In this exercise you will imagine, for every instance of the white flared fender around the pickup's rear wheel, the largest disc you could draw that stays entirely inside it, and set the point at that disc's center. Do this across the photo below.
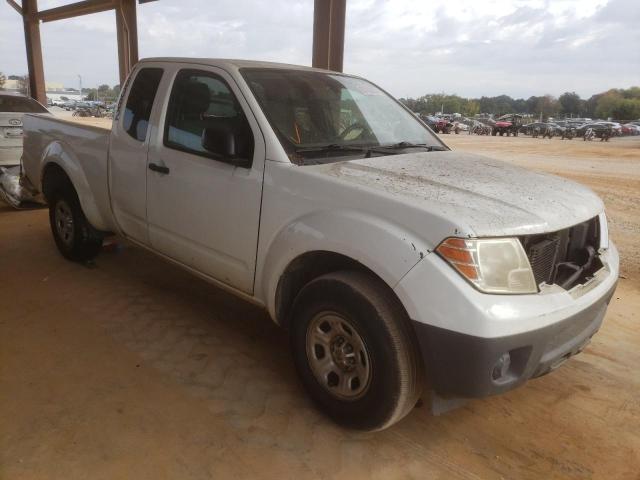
(60, 154)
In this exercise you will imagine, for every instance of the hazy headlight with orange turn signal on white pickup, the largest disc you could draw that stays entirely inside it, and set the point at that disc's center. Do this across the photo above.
(492, 265)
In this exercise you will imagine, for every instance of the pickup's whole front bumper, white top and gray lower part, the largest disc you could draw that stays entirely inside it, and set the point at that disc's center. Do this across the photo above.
(475, 345)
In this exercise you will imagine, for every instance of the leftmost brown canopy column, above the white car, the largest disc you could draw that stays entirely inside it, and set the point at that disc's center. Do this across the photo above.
(34, 50)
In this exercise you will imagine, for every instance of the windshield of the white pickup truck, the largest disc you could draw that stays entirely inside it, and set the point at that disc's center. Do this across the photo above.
(314, 112)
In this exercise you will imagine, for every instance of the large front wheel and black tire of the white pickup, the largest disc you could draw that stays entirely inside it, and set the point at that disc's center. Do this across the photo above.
(389, 355)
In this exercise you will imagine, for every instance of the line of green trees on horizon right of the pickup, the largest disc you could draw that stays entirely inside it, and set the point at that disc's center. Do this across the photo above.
(618, 103)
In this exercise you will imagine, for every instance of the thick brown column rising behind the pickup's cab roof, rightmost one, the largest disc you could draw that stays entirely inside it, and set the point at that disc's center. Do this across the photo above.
(328, 34)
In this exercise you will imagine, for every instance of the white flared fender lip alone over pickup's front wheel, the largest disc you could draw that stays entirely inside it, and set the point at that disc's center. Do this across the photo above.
(391, 255)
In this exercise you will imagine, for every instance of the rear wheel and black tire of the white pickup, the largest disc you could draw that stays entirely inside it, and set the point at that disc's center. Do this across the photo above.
(75, 238)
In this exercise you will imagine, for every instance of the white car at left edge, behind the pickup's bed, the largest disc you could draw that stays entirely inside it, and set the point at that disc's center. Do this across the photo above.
(12, 109)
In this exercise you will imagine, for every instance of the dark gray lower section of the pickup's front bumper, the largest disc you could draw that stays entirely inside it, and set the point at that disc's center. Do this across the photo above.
(467, 366)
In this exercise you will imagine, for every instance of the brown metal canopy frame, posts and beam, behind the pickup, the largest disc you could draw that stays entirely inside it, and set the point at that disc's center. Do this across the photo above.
(328, 34)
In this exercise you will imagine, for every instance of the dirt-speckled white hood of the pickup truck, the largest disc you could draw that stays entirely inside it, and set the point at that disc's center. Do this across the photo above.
(476, 195)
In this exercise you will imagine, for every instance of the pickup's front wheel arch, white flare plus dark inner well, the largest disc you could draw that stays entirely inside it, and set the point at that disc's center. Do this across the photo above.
(325, 241)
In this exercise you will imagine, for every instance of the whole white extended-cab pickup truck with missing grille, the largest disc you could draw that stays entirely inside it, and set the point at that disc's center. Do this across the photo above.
(398, 267)
